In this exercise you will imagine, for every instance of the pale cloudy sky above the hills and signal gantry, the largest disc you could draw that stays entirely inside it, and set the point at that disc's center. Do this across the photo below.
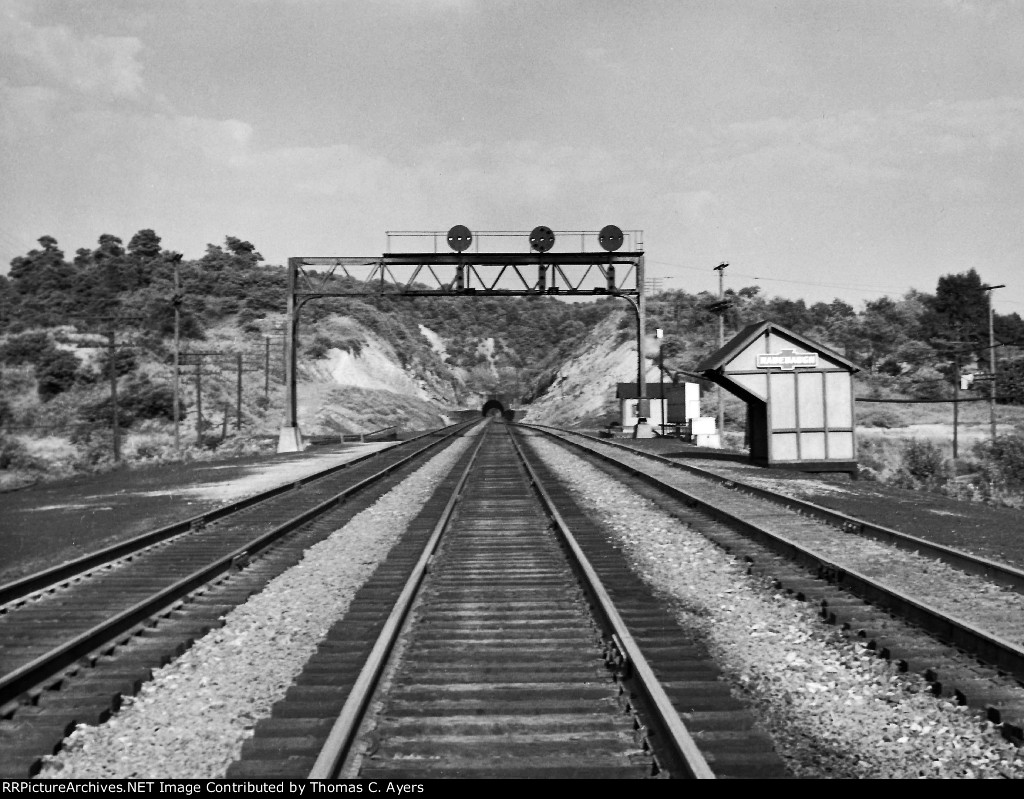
(823, 149)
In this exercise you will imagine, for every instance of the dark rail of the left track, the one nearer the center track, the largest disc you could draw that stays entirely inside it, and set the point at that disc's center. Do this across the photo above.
(45, 667)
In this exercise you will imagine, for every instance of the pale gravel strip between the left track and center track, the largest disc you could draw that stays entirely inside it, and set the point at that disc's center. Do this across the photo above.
(192, 721)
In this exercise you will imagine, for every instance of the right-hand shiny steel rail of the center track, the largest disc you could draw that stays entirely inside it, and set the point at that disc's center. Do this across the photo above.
(685, 752)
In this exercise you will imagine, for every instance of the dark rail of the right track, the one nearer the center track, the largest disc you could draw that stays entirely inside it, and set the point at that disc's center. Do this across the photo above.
(988, 647)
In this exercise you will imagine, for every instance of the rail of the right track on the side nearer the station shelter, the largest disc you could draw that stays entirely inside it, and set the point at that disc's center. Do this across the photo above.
(1002, 574)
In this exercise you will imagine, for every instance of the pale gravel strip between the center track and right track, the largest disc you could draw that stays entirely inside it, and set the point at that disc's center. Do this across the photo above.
(833, 709)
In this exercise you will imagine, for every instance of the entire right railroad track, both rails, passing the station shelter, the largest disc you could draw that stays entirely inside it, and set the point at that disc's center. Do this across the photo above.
(954, 618)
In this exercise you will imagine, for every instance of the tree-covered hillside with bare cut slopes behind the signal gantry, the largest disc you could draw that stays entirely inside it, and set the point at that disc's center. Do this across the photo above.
(380, 361)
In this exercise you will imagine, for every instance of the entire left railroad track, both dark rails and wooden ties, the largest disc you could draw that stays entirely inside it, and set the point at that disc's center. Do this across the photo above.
(77, 638)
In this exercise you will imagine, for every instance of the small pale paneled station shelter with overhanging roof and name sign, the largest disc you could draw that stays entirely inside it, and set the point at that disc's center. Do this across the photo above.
(799, 397)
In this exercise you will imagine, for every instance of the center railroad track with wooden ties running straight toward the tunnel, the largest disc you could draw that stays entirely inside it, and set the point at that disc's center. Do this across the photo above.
(487, 646)
